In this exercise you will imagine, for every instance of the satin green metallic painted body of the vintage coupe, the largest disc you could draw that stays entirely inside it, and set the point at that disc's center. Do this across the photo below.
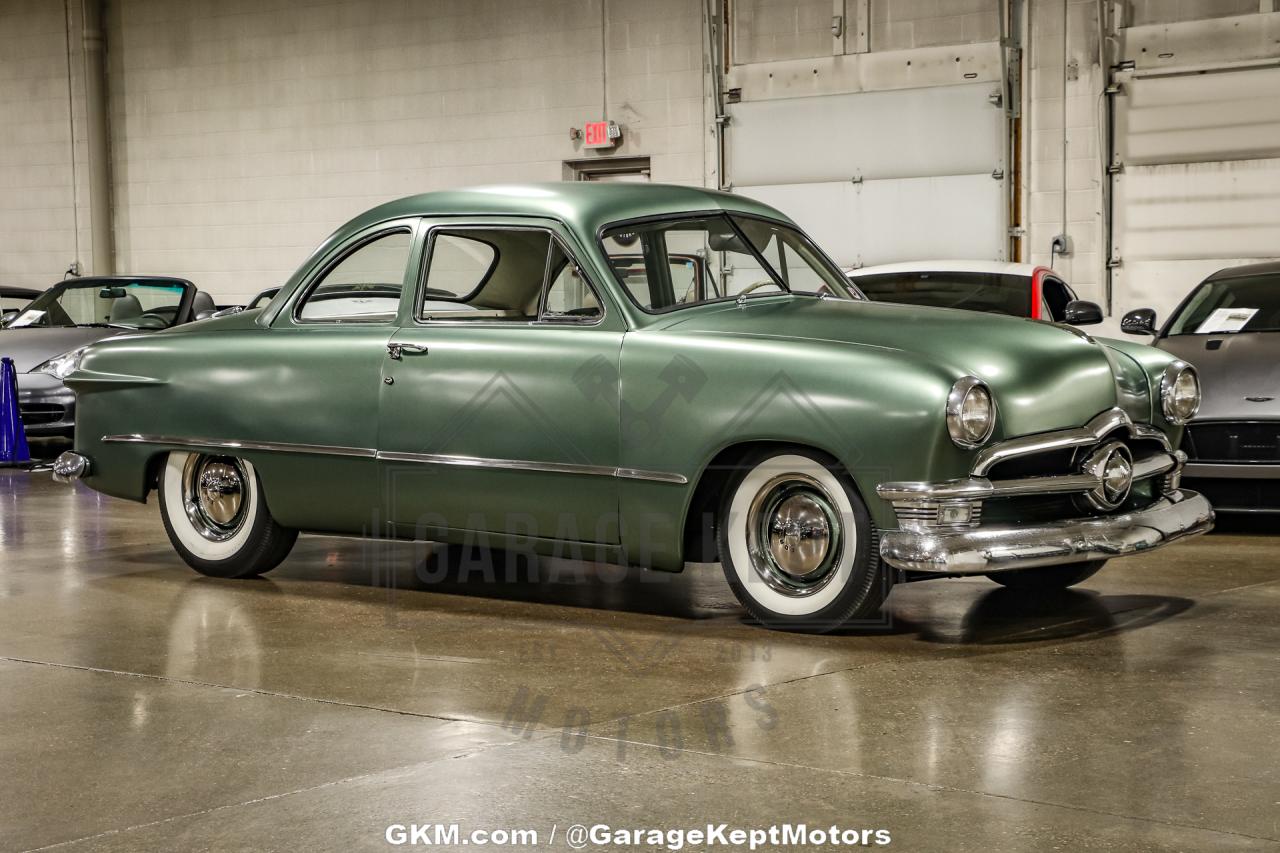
(863, 382)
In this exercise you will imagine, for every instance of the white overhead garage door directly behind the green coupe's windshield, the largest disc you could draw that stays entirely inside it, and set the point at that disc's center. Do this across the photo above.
(883, 176)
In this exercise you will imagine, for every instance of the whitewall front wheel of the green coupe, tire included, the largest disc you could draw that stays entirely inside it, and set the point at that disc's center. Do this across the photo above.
(798, 545)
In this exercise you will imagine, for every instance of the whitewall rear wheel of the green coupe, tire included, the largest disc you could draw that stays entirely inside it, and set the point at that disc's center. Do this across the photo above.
(217, 519)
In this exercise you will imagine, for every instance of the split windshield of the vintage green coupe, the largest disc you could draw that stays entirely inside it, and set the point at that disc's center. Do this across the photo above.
(676, 263)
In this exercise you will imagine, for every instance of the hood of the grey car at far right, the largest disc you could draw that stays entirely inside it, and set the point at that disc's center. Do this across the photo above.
(1245, 366)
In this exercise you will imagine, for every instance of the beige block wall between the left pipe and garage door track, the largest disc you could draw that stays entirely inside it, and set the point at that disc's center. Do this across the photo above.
(246, 131)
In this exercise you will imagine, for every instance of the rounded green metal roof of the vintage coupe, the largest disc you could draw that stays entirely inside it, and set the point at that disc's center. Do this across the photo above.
(584, 204)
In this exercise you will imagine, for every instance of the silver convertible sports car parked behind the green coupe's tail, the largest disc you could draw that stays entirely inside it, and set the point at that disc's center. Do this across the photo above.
(47, 339)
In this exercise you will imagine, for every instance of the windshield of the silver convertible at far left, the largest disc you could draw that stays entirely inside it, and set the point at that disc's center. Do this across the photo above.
(117, 303)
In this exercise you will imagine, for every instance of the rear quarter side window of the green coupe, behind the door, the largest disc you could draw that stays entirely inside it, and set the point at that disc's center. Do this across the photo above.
(363, 288)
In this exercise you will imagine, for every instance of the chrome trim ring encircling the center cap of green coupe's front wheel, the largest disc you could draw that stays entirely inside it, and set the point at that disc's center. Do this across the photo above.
(761, 516)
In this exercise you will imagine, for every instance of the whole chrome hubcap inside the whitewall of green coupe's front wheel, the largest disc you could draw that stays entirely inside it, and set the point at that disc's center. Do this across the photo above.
(794, 535)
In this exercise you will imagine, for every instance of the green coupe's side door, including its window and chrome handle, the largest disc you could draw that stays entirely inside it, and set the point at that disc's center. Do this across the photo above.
(501, 407)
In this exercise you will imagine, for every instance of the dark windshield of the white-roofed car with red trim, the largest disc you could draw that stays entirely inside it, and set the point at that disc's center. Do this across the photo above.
(991, 293)
